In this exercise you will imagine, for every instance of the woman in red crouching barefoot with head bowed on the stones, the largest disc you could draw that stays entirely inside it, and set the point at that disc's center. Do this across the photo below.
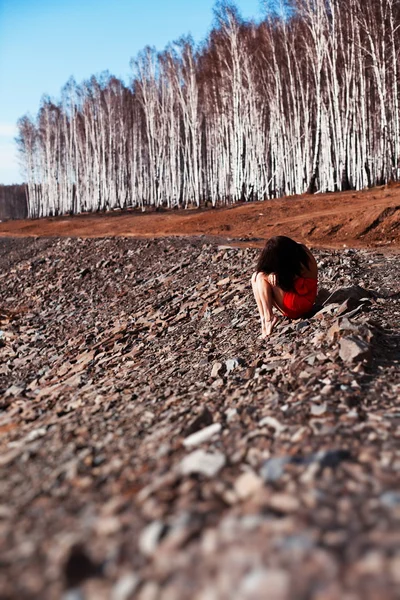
(286, 278)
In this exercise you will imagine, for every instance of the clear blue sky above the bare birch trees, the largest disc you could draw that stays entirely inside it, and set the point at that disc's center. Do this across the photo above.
(44, 42)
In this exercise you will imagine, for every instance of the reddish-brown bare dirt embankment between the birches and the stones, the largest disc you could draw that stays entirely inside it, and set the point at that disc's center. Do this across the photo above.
(360, 219)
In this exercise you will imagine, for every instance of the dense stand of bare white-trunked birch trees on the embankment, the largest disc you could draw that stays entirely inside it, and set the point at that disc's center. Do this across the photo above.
(305, 100)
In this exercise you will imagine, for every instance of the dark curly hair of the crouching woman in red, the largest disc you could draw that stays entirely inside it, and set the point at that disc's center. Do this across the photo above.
(284, 257)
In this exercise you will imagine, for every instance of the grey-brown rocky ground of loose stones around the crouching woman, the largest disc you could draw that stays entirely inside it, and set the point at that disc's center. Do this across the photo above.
(152, 446)
